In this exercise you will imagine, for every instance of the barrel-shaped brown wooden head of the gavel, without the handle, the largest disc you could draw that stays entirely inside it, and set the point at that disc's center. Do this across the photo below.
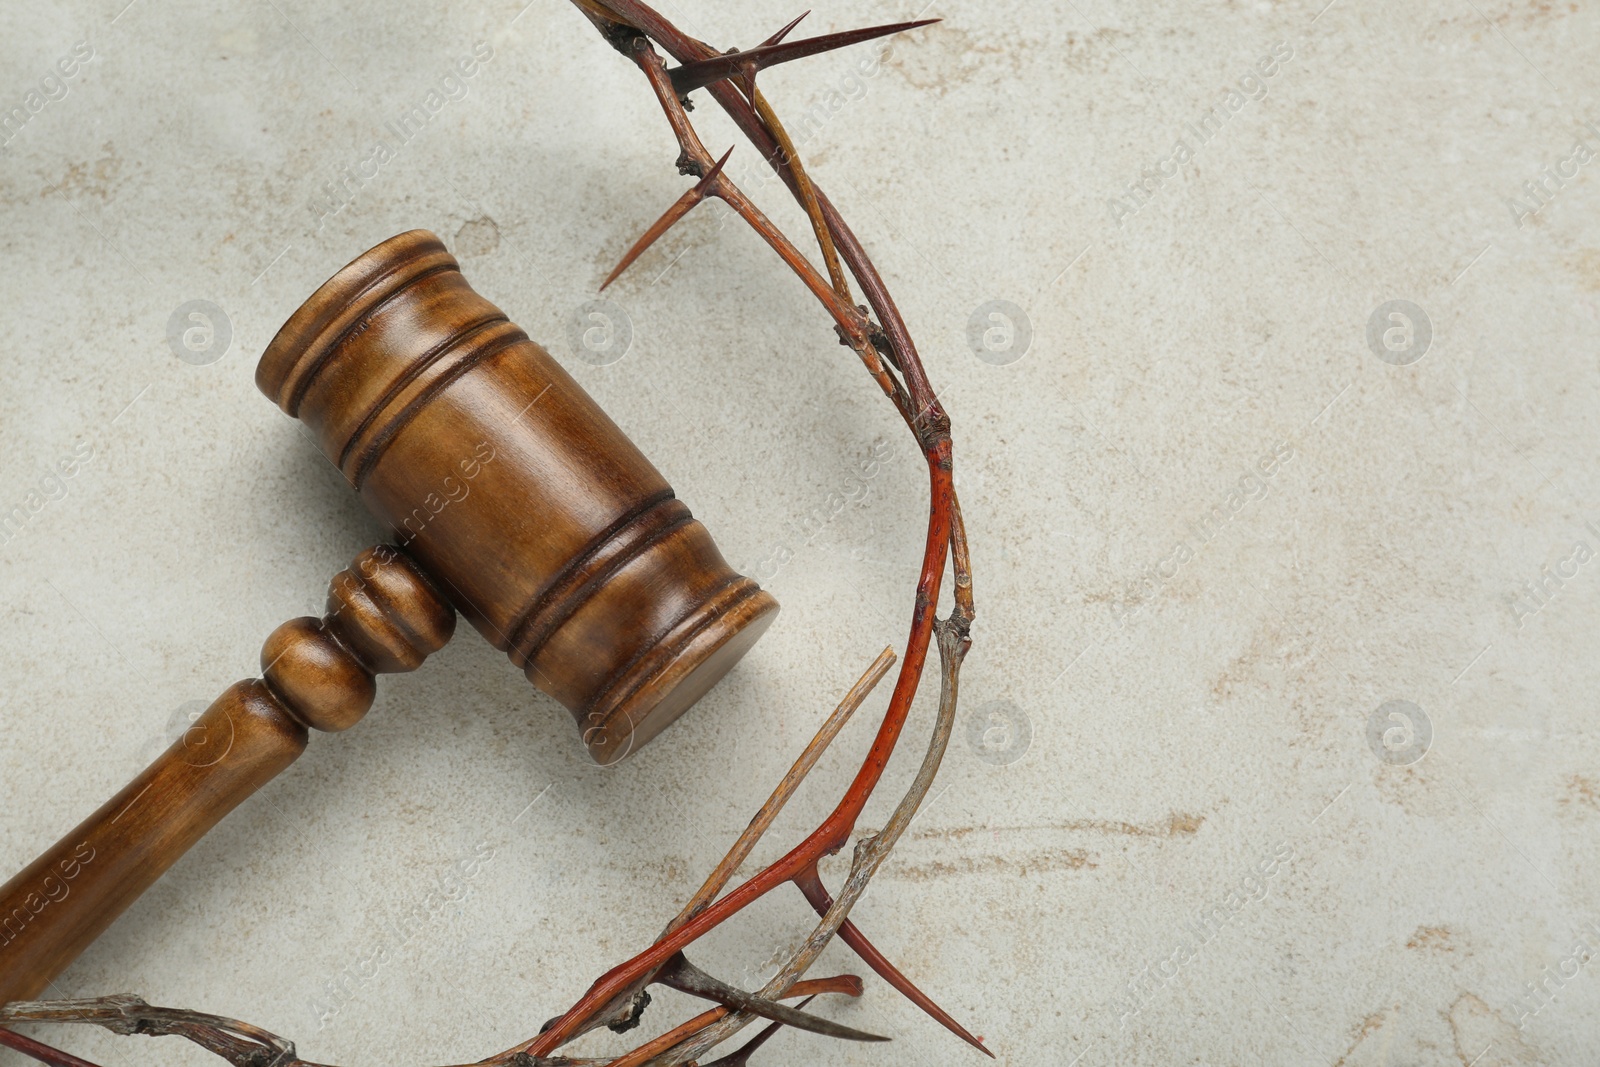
(529, 510)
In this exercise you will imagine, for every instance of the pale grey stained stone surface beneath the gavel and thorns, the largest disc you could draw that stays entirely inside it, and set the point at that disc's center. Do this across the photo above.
(1194, 655)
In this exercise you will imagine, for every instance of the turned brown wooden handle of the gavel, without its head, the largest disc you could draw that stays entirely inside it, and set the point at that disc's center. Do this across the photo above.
(383, 617)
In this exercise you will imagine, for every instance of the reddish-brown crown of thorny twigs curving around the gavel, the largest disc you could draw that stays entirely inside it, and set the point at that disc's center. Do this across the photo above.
(879, 337)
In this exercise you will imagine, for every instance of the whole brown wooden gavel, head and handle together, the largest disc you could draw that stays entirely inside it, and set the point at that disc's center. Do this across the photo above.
(514, 502)
